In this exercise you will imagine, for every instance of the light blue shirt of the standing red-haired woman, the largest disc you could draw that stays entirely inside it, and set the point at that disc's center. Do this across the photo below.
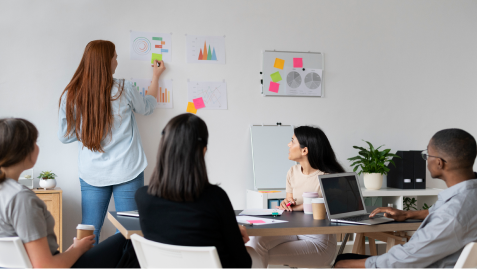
(123, 158)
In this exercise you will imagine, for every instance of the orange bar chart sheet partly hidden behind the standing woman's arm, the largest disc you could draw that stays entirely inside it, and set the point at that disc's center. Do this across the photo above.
(164, 95)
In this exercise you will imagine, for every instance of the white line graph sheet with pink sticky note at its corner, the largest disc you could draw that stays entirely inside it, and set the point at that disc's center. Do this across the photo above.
(214, 94)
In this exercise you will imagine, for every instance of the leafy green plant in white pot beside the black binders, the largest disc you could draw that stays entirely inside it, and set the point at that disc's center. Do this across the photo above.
(372, 162)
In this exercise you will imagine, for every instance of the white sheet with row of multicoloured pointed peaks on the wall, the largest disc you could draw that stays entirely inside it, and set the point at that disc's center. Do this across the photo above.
(205, 49)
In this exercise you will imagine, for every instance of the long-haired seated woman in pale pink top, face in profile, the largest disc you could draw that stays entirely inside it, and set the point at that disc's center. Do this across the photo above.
(312, 150)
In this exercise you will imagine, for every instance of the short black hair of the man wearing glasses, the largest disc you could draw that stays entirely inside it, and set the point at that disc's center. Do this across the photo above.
(457, 144)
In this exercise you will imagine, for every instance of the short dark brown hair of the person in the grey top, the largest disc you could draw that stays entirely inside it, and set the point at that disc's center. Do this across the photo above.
(17, 142)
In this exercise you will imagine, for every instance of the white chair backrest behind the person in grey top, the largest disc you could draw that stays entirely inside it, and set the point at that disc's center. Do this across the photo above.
(13, 253)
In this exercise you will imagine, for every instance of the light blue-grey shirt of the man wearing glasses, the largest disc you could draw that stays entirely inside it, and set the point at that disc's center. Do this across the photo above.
(450, 225)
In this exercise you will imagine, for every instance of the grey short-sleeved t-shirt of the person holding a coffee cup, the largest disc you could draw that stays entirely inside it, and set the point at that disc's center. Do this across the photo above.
(25, 215)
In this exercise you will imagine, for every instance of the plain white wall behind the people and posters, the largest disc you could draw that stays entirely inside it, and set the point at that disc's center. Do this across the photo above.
(396, 72)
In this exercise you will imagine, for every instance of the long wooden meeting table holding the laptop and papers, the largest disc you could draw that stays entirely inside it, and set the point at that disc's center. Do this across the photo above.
(298, 224)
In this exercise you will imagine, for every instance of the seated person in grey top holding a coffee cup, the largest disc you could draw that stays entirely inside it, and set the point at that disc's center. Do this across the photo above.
(24, 215)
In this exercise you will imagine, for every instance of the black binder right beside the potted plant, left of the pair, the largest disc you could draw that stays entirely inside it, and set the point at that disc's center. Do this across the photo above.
(401, 176)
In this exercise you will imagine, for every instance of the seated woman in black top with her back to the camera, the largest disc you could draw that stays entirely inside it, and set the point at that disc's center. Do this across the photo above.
(180, 206)
